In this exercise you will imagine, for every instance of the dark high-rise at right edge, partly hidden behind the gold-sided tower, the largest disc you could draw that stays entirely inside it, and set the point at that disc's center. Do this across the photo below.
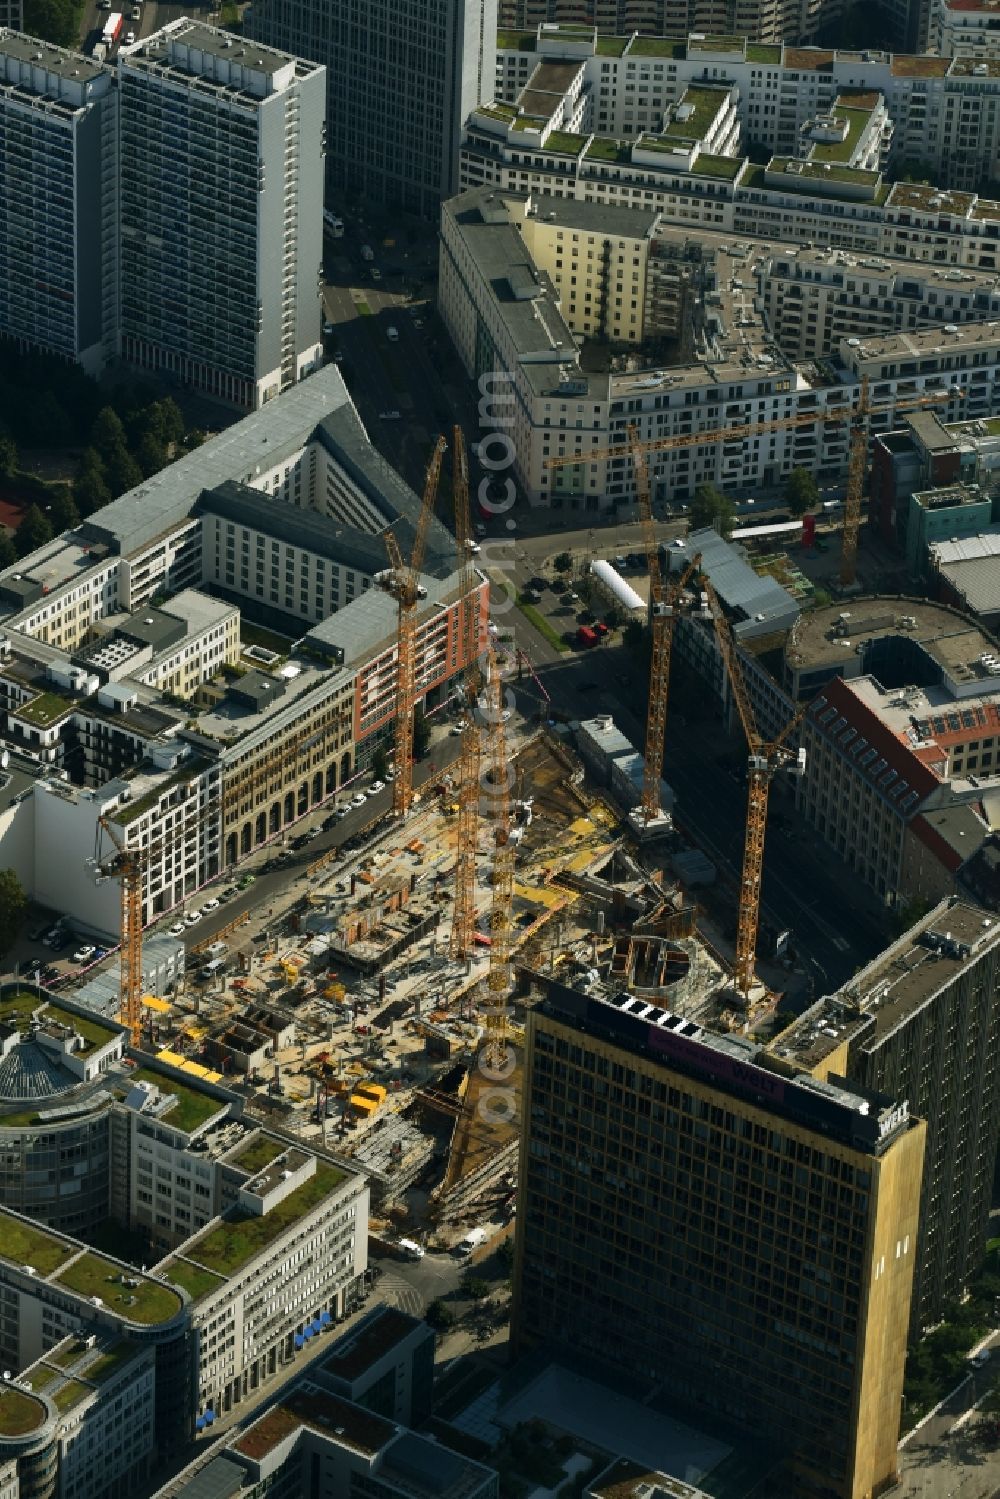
(923, 1022)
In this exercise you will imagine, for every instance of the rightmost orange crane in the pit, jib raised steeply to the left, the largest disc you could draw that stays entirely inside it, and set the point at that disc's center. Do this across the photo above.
(765, 761)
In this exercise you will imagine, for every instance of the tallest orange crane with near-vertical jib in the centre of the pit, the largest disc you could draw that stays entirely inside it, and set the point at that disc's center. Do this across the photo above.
(472, 750)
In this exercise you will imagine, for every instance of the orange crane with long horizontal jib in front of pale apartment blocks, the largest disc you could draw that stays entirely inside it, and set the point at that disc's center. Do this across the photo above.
(858, 414)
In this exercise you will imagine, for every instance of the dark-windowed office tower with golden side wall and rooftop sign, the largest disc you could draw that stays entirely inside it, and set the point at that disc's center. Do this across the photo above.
(696, 1213)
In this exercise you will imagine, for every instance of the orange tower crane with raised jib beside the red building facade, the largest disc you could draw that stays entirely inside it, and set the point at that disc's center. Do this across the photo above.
(403, 582)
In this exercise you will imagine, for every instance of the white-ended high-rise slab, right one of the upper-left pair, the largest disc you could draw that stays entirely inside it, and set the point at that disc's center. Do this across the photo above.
(221, 212)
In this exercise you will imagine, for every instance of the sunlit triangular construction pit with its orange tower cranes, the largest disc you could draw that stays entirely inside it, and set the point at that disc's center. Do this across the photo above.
(380, 1008)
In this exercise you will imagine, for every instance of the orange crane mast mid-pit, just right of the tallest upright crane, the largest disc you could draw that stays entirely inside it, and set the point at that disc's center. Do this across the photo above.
(499, 983)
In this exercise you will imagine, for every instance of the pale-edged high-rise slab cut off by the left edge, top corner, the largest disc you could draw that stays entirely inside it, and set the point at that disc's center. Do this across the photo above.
(59, 116)
